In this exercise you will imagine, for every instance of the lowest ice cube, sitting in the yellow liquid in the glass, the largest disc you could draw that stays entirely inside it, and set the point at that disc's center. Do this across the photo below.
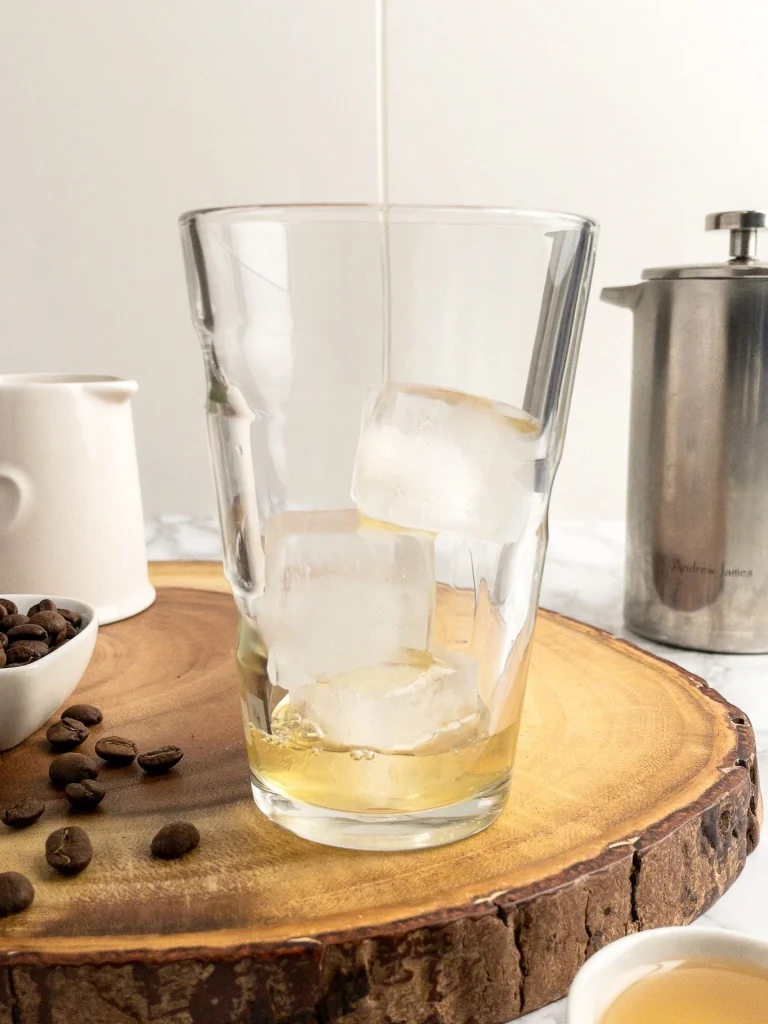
(420, 701)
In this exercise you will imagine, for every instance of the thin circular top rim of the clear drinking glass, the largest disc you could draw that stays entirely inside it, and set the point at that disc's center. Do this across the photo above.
(400, 214)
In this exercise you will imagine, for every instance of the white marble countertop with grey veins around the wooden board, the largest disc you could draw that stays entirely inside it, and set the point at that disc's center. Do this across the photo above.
(584, 579)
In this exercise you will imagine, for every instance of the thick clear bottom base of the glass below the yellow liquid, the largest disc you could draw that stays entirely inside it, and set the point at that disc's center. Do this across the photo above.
(416, 831)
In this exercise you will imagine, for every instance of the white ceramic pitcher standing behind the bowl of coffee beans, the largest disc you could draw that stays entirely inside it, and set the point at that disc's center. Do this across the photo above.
(71, 520)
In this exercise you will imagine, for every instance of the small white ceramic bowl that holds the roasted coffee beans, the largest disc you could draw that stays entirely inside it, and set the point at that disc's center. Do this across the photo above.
(30, 694)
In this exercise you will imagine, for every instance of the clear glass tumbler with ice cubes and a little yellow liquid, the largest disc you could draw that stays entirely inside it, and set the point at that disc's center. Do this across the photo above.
(388, 400)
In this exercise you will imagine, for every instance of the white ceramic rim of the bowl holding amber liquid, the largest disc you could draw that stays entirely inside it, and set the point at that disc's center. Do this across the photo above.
(609, 973)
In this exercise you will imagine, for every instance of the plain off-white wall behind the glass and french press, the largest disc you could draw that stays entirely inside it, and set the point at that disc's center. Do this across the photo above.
(117, 115)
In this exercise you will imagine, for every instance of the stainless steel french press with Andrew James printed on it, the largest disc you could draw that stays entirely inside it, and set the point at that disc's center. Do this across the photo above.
(698, 504)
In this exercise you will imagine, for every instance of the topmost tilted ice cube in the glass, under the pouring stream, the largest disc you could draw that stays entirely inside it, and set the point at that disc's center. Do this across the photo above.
(436, 460)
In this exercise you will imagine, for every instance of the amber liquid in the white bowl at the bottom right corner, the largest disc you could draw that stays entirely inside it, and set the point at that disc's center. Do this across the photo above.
(697, 992)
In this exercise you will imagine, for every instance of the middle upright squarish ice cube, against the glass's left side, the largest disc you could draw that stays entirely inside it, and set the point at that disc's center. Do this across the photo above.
(342, 594)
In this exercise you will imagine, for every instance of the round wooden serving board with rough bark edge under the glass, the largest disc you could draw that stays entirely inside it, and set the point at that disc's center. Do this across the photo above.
(634, 804)
